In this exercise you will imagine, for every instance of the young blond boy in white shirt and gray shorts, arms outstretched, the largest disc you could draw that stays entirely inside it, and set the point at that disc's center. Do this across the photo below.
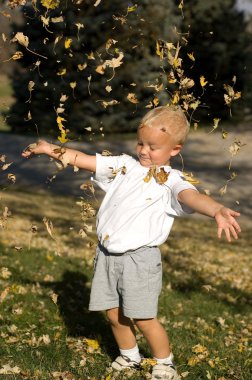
(142, 198)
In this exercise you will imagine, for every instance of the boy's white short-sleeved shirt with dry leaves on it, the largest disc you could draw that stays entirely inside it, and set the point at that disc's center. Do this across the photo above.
(136, 213)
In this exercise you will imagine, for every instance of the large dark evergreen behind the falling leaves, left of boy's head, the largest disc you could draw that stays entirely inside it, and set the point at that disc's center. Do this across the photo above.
(75, 47)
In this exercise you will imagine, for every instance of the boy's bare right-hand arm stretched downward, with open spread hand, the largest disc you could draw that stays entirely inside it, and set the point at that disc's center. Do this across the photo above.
(224, 217)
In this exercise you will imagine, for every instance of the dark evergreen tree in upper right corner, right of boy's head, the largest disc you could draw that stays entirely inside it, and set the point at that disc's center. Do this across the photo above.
(219, 41)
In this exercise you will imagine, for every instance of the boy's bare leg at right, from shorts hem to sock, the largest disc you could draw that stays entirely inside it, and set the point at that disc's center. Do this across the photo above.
(156, 337)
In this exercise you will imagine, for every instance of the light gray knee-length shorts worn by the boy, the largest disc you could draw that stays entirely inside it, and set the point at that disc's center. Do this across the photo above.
(131, 280)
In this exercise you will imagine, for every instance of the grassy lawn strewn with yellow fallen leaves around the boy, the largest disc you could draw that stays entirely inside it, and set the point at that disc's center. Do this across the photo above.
(47, 331)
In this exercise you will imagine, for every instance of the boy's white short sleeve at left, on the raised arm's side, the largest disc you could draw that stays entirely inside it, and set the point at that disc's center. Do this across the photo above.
(107, 167)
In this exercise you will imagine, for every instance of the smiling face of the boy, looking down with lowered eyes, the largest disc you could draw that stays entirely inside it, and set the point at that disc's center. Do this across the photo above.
(155, 147)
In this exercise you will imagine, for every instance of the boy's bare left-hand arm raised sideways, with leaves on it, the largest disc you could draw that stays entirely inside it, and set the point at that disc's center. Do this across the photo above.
(68, 156)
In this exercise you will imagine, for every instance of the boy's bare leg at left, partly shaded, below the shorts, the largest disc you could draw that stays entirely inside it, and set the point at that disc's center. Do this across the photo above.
(122, 328)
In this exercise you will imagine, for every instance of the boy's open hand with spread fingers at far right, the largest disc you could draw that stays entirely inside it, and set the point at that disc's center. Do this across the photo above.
(225, 219)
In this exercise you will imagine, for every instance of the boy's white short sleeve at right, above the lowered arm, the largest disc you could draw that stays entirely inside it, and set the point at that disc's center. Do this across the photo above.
(176, 184)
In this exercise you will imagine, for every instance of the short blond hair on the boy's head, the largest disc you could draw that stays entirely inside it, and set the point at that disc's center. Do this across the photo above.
(170, 119)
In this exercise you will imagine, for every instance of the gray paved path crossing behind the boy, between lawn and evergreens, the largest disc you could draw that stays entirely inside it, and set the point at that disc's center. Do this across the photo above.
(206, 155)
